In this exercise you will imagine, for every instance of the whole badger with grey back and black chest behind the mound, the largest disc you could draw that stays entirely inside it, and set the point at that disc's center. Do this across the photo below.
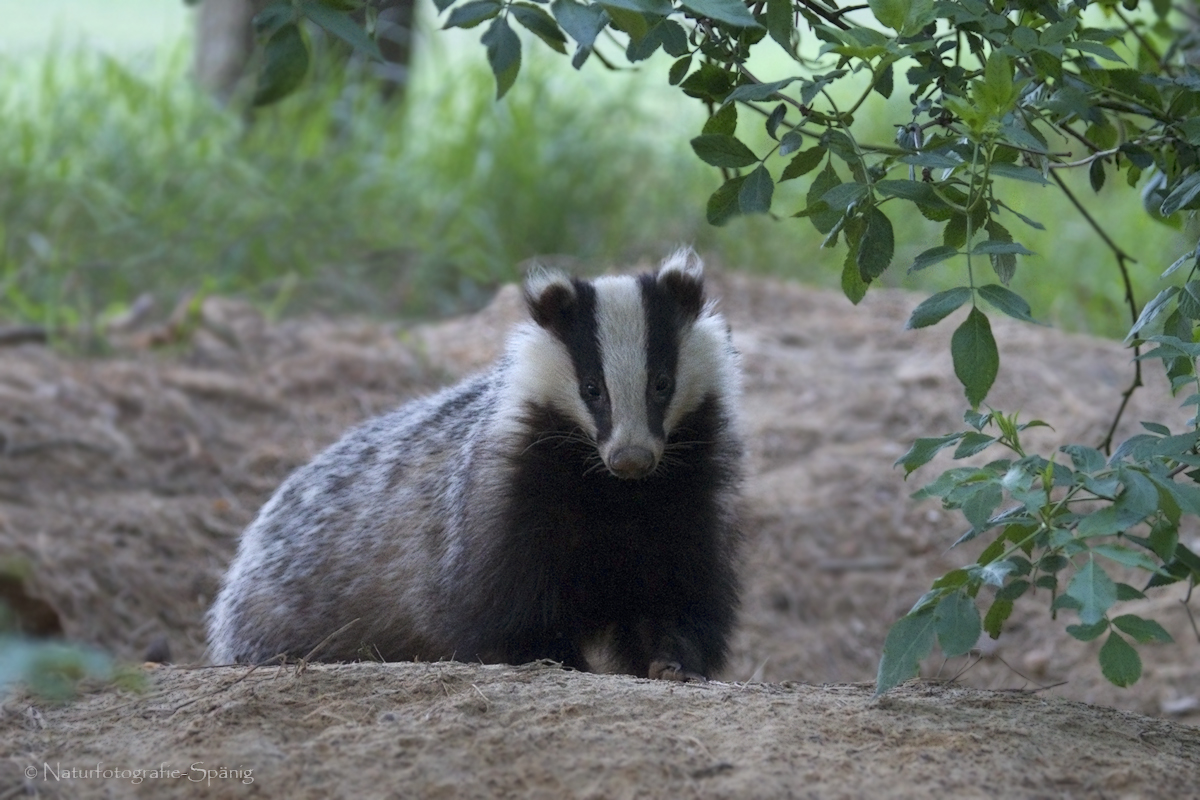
(579, 497)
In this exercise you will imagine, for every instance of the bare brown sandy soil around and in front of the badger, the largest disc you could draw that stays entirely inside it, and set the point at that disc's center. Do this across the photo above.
(127, 482)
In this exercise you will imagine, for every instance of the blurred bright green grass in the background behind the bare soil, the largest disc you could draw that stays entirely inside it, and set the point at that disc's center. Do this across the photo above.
(119, 178)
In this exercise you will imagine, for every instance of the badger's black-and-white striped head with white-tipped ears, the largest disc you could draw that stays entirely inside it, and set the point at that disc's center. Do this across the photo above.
(625, 358)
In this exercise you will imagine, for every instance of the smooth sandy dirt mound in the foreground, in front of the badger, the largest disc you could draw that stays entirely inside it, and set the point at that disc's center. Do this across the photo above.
(457, 731)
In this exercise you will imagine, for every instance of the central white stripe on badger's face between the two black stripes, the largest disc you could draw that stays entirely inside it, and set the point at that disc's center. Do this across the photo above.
(621, 330)
